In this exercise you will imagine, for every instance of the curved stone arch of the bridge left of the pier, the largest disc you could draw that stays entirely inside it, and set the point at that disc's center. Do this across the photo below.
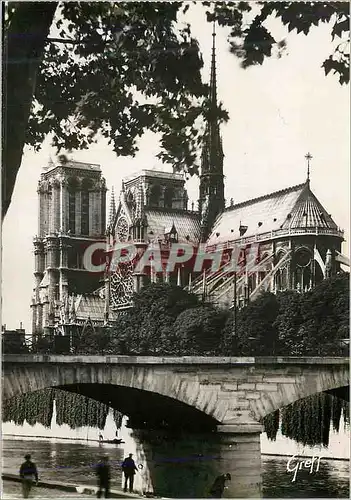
(105, 382)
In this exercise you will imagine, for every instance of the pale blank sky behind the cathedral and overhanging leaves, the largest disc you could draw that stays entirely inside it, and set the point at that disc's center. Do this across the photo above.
(278, 112)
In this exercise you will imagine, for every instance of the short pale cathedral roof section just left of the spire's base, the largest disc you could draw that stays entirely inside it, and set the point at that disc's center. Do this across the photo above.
(186, 223)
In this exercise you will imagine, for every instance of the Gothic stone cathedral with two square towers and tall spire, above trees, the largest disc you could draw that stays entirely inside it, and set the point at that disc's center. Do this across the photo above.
(299, 243)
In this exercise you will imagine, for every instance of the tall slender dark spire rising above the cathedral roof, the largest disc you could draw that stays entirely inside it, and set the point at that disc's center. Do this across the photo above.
(211, 195)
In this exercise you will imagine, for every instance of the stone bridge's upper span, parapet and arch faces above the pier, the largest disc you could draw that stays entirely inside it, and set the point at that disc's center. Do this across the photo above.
(230, 391)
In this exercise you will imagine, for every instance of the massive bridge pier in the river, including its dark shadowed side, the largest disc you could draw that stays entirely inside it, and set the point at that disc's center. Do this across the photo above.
(185, 465)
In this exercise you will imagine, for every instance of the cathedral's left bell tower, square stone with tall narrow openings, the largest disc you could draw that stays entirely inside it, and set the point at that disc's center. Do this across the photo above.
(72, 207)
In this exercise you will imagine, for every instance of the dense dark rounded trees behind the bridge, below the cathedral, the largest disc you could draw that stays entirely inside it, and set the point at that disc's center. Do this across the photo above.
(168, 321)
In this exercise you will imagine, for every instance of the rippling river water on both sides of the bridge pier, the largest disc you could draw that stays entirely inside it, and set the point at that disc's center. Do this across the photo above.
(73, 461)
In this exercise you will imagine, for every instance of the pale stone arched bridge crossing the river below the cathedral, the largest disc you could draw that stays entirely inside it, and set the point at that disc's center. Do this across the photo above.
(230, 395)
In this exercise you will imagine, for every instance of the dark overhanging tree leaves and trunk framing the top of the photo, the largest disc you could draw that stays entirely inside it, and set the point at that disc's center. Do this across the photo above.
(79, 69)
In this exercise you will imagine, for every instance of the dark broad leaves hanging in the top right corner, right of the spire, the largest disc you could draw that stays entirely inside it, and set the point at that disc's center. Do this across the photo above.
(252, 40)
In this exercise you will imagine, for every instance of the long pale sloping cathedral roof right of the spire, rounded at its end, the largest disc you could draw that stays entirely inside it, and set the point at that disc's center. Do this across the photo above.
(287, 210)
